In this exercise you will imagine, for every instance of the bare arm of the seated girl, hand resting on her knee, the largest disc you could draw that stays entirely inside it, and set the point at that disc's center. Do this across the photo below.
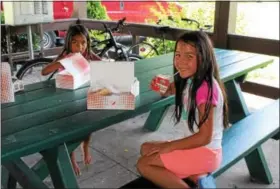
(201, 138)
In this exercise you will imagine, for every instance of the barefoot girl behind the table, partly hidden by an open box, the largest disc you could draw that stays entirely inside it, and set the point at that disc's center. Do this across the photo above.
(77, 41)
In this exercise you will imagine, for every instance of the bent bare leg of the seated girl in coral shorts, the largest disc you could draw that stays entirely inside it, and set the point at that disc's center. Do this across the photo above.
(152, 168)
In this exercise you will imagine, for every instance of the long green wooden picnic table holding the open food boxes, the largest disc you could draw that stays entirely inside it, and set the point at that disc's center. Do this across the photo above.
(53, 121)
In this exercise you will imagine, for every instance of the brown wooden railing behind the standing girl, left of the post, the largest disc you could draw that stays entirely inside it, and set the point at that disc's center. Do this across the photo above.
(130, 28)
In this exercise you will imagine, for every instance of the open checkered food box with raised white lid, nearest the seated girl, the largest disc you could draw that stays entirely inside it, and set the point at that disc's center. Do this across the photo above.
(112, 86)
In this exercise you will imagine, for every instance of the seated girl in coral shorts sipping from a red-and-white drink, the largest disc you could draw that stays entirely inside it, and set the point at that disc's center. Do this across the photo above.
(200, 102)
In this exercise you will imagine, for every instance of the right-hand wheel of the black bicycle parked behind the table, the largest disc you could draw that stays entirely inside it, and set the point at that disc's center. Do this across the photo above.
(143, 49)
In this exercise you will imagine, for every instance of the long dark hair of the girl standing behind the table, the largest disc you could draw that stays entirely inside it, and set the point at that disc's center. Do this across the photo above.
(73, 30)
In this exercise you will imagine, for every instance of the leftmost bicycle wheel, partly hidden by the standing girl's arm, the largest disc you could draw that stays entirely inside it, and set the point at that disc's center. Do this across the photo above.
(30, 72)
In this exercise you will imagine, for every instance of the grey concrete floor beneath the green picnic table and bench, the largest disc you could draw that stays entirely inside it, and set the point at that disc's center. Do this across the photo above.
(115, 151)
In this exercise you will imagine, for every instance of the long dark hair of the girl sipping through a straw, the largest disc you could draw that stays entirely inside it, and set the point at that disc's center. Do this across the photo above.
(207, 69)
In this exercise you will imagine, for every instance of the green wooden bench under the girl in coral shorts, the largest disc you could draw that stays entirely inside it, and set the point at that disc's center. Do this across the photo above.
(242, 140)
